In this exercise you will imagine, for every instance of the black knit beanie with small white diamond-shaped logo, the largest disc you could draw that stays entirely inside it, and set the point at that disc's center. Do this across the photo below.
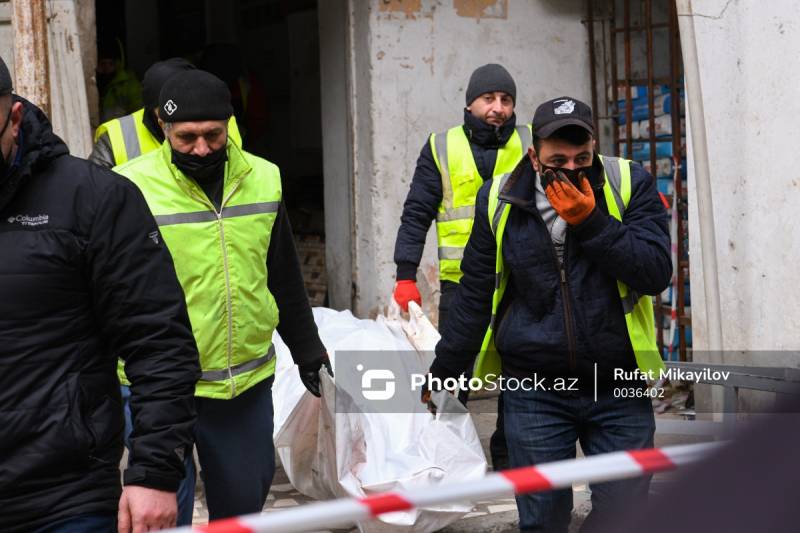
(194, 95)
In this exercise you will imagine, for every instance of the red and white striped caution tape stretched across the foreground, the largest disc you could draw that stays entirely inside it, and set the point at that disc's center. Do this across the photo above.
(549, 476)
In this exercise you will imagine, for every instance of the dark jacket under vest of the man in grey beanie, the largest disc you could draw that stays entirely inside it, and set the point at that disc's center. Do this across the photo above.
(425, 195)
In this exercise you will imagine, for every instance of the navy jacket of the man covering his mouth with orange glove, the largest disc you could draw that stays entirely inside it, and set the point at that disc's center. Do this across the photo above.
(545, 326)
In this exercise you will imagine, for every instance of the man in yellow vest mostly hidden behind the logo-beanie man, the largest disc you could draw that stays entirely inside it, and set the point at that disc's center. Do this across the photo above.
(130, 136)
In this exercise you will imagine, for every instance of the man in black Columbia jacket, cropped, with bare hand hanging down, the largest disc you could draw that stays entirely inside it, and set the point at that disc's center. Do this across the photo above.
(85, 278)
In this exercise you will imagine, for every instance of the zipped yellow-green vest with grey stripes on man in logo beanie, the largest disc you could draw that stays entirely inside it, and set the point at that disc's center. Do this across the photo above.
(221, 261)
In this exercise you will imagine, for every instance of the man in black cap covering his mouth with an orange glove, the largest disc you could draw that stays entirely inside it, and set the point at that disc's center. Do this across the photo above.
(561, 315)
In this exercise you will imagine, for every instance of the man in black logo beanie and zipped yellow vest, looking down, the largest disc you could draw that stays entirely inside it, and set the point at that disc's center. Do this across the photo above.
(220, 212)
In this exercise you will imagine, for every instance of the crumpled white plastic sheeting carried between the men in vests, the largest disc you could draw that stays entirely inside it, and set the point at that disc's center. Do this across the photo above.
(329, 452)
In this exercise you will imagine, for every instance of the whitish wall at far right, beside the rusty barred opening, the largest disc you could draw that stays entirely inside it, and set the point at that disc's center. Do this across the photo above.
(749, 73)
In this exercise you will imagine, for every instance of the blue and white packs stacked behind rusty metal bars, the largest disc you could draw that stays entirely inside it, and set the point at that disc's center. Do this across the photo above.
(641, 135)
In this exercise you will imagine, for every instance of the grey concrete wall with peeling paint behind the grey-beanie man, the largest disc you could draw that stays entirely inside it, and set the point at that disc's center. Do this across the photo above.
(411, 60)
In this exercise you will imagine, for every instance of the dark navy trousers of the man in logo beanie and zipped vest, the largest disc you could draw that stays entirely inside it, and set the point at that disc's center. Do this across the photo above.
(236, 454)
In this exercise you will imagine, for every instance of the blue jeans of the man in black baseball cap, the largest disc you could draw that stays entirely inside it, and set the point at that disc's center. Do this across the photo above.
(543, 426)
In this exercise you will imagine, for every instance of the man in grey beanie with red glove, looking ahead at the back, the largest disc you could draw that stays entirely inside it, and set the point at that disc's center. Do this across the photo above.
(451, 168)
